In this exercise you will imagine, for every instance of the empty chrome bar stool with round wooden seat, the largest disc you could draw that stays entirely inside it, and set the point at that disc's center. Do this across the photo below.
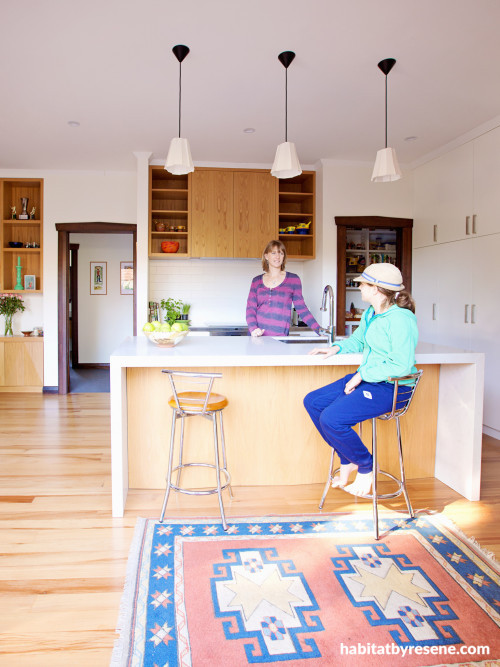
(200, 402)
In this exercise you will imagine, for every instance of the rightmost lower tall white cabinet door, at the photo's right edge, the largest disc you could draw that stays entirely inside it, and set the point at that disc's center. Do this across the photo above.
(485, 330)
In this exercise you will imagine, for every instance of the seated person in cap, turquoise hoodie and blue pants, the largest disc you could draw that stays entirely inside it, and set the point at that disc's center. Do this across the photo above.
(387, 337)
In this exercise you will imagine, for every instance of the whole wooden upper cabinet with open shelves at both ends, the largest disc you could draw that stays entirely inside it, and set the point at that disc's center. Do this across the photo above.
(230, 213)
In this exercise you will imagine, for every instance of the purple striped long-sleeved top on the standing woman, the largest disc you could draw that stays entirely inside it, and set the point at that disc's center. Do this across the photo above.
(271, 309)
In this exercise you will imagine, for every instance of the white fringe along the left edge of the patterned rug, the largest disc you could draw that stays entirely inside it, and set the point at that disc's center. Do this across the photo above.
(120, 647)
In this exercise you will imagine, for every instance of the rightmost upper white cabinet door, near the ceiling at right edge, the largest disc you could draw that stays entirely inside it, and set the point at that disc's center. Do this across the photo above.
(487, 183)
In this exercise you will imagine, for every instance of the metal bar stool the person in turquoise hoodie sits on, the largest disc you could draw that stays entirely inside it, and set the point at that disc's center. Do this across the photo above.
(404, 391)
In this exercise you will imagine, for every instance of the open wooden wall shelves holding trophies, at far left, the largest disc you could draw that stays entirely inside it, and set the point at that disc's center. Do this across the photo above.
(28, 233)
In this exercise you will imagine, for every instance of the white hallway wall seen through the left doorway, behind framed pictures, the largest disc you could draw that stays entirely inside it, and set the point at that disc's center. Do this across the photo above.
(103, 320)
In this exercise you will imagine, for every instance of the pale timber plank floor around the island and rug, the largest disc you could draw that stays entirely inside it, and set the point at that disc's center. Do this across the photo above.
(64, 556)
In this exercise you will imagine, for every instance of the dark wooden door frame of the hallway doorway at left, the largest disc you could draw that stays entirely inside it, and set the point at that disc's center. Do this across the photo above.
(64, 229)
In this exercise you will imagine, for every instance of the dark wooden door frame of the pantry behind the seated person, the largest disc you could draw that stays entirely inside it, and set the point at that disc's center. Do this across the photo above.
(403, 227)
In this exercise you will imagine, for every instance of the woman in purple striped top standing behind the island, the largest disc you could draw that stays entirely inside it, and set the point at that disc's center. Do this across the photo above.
(269, 302)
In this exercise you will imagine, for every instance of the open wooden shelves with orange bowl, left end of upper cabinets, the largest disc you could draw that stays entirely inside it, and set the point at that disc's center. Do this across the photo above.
(169, 203)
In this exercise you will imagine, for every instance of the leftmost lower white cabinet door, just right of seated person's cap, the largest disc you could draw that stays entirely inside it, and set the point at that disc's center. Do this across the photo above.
(425, 291)
